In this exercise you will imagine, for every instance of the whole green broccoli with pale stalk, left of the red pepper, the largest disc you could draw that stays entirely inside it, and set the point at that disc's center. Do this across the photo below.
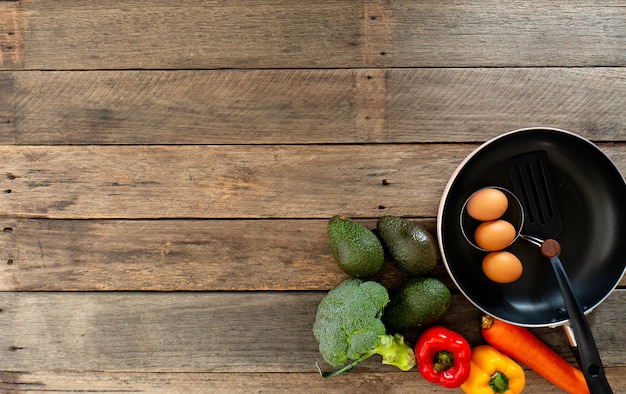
(348, 326)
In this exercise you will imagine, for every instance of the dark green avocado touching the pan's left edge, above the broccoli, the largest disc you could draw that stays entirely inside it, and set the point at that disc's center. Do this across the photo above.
(412, 248)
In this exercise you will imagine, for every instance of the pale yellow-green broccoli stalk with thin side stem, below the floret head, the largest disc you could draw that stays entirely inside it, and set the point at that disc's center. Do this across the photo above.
(394, 350)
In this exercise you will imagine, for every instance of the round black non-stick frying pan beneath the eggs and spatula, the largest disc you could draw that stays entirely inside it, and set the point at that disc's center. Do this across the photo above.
(591, 194)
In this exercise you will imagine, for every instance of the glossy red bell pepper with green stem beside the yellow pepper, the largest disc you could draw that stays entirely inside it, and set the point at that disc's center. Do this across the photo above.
(443, 357)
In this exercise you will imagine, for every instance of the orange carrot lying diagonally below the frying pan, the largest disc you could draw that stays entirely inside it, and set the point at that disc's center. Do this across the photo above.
(523, 346)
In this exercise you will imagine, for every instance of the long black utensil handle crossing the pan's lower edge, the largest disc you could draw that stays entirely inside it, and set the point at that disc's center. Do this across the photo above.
(587, 350)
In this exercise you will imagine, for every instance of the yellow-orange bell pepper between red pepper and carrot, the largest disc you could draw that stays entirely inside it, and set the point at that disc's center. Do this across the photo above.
(493, 372)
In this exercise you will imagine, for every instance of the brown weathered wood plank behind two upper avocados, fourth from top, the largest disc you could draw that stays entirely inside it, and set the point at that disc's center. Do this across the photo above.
(170, 255)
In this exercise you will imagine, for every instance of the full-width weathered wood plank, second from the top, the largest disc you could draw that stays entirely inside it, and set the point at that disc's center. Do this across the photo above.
(307, 106)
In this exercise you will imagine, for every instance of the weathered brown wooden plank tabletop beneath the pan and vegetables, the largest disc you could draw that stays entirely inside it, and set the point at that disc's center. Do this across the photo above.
(167, 171)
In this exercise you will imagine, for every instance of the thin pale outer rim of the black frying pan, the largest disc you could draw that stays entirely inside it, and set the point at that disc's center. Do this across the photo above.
(445, 199)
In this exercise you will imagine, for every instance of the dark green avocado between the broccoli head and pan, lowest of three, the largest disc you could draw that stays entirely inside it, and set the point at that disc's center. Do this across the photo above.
(419, 302)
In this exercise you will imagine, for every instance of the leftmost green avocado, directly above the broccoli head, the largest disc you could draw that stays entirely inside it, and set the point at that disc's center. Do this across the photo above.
(357, 251)
